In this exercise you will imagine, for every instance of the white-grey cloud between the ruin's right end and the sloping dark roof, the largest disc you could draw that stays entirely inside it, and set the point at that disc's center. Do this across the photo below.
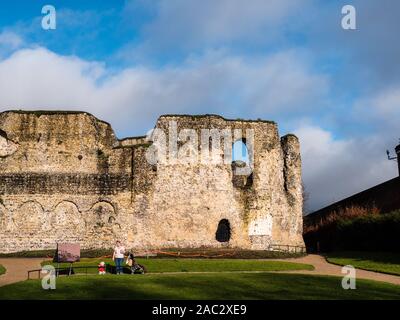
(334, 169)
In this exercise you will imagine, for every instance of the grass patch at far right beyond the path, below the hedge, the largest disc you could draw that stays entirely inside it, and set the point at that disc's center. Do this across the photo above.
(385, 262)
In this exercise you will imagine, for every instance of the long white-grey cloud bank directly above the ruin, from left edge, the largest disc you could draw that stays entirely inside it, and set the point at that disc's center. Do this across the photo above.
(133, 98)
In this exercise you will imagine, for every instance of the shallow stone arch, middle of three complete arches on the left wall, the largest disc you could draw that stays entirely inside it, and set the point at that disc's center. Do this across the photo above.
(67, 218)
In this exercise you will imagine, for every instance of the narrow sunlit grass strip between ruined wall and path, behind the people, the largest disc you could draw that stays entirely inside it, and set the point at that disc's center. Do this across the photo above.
(155, 265)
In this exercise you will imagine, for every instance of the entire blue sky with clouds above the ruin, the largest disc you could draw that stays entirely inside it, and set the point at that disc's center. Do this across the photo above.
(290, 61)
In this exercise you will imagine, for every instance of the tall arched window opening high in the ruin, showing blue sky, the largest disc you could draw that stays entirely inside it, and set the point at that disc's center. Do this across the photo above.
(242, 175)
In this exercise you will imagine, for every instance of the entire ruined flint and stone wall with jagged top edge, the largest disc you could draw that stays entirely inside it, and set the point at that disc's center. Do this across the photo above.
(65, 177)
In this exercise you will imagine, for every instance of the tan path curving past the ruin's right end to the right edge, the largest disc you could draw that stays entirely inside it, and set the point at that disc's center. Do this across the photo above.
(322, 267)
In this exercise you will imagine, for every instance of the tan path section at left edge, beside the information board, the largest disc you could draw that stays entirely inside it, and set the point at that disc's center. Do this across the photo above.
(17, 269)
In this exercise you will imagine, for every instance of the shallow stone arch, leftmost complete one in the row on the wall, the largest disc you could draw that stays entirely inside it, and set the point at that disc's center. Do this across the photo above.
(29, 217)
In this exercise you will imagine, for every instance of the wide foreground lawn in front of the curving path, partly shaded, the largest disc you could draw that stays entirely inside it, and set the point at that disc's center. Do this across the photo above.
(200, 286)
